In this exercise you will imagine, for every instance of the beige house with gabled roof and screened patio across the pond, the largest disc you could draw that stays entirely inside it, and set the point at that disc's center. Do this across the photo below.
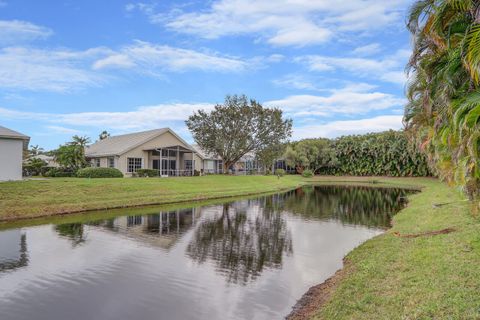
(159, 149)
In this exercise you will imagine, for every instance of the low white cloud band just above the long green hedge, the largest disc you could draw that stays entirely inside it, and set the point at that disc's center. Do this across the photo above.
(345, 127)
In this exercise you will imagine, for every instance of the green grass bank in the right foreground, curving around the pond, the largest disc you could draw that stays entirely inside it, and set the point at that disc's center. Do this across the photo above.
(397, 276)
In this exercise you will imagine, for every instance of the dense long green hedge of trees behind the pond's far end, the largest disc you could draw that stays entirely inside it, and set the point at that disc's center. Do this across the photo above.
(386, 153)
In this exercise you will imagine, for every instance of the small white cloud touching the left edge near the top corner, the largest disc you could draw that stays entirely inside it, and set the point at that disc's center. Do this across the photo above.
(16, 31)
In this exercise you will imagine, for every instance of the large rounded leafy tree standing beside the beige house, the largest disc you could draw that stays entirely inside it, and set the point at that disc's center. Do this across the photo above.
(237, 127)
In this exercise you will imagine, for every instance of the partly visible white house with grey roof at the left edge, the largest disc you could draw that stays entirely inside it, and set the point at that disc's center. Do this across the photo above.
(12, 145)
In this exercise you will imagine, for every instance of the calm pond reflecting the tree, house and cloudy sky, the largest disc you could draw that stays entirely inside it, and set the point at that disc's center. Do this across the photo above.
(245, 259)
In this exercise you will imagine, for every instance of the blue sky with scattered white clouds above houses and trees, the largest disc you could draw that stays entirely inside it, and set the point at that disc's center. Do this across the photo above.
(80, 67)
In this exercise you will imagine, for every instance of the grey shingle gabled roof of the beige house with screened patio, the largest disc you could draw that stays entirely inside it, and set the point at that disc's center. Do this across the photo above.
(117, 145)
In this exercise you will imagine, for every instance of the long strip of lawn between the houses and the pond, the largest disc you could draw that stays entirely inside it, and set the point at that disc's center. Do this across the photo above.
(37, 198)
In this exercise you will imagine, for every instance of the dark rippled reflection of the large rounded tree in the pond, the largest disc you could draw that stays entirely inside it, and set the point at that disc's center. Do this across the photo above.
(242, 243)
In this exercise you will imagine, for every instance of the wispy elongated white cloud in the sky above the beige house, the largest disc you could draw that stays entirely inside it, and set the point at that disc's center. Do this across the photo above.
(147, 57)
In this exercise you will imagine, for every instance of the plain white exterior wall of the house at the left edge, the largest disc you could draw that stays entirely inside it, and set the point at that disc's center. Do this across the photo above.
(11, 156)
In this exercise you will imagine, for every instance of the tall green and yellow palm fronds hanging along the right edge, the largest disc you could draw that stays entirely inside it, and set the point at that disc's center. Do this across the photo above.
(443, 112)
